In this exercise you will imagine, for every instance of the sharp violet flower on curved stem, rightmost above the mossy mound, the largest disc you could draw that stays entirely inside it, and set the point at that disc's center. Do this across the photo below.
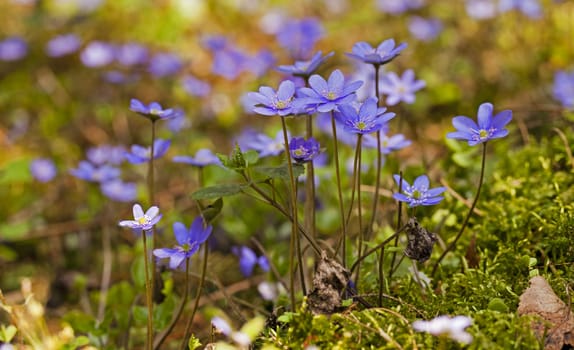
(488, 127)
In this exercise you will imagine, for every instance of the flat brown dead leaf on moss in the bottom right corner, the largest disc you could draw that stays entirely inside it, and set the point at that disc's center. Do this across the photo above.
(539, 299)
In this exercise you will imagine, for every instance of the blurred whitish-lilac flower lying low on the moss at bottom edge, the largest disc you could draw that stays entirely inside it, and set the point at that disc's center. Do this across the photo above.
(454, 327)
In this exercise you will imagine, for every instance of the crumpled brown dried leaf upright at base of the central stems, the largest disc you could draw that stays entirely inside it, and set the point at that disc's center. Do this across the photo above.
(329, 282)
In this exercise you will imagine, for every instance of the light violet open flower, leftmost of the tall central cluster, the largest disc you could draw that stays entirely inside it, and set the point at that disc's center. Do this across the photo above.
(270, 102)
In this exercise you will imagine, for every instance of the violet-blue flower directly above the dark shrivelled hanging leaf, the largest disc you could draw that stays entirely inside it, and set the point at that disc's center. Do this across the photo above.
(419, 193)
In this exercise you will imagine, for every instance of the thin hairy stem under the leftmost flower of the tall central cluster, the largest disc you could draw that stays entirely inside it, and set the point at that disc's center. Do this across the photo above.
(295, 241)
